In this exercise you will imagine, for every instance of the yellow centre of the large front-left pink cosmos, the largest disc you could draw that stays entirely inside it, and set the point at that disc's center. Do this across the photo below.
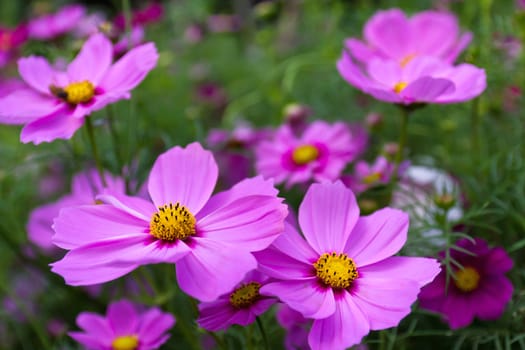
(172, 222)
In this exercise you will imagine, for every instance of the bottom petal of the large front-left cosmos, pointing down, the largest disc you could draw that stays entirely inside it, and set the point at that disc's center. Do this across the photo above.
(212, 269)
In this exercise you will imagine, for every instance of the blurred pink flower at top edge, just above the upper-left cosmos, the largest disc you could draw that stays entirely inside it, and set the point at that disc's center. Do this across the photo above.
(53, 25)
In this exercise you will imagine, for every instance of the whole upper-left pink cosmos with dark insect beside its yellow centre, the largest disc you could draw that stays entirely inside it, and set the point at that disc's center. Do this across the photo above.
(54, 104)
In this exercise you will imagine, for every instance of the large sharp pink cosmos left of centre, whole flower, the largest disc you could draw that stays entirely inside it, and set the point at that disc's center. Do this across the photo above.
(209, 239)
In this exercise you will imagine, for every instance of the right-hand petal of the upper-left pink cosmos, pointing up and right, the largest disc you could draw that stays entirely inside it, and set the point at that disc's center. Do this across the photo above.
(131, 69)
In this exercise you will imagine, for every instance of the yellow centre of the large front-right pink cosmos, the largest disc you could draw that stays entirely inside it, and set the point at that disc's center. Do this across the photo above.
(336, 270)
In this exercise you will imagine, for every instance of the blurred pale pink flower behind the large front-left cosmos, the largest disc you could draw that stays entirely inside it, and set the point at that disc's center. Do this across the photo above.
(84, 188)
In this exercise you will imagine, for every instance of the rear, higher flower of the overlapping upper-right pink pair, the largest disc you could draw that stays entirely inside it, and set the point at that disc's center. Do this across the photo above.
(391, 35)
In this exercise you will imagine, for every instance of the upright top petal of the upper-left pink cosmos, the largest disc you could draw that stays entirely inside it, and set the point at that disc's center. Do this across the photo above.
(92, 61)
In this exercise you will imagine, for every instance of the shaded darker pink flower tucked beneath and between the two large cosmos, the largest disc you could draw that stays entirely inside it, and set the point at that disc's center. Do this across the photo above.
(240, 306)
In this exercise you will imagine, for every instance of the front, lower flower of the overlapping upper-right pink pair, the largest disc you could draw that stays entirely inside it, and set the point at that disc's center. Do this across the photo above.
(424, 79)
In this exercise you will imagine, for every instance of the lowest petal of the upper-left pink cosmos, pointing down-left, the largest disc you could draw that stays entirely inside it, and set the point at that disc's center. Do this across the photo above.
(59, 125)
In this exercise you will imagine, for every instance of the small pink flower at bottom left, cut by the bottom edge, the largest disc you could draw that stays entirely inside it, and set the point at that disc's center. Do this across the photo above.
(123, 328)
